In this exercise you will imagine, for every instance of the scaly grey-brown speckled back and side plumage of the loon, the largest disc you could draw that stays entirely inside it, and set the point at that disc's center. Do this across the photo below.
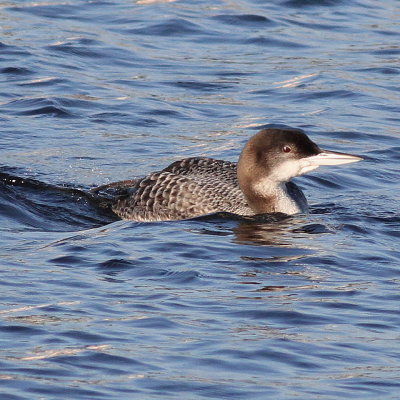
(185, 189)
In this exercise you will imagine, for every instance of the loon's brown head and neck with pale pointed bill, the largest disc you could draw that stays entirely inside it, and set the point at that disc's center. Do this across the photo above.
(274, 156)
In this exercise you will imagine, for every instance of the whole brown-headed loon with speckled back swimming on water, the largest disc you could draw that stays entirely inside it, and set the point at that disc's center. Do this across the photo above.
(259, 183)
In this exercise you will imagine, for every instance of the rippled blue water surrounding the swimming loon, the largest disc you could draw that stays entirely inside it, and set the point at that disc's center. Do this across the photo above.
(217, 308)
